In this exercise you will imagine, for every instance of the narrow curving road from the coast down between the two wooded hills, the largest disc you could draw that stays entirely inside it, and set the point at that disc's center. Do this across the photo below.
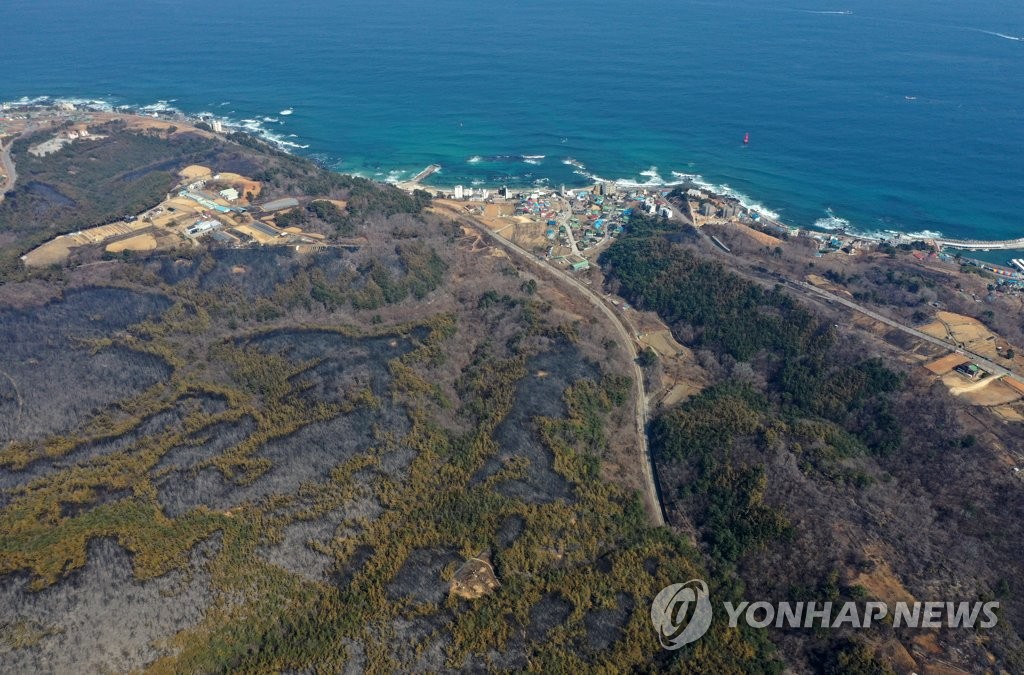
(655, 510)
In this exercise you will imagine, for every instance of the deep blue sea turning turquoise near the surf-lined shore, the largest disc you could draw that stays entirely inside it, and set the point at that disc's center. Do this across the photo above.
(891, 115)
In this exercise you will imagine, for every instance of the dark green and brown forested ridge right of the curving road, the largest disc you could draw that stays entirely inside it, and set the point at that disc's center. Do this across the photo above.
(804, 433)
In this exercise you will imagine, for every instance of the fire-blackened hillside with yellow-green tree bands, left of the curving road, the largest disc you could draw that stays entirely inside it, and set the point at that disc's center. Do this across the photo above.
(261, 459)
